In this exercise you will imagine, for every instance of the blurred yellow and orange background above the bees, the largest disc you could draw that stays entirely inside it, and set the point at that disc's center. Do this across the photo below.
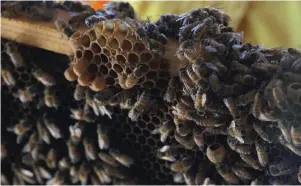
(272, 23)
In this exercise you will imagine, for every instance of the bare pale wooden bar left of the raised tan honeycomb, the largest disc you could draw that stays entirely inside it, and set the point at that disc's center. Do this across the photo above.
(36, 33)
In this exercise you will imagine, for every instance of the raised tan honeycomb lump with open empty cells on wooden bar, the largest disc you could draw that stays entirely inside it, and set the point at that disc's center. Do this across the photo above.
(111, 54)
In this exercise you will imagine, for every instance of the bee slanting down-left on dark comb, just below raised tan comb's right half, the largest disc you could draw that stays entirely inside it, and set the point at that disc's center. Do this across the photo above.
(140, 106)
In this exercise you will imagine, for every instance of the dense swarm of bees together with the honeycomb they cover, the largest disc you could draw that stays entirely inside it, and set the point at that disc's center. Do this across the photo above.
(231, 115)
